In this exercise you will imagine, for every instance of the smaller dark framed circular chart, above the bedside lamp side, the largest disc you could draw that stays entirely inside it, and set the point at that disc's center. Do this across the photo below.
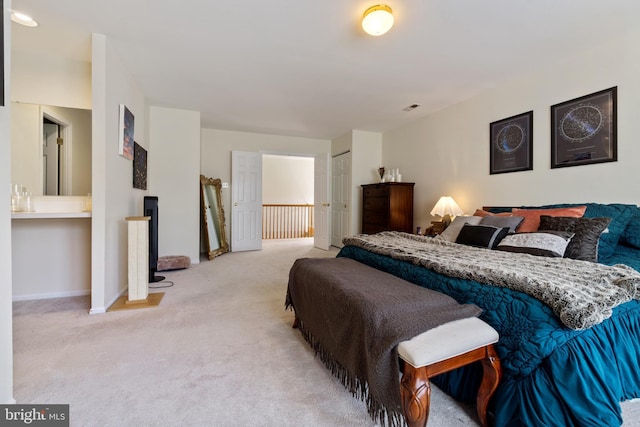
(511, 144)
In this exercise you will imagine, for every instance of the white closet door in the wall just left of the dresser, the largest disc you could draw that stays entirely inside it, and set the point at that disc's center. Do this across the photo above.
(340, 198)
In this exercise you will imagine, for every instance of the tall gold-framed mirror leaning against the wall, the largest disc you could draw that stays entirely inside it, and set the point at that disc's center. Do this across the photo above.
(215, 238)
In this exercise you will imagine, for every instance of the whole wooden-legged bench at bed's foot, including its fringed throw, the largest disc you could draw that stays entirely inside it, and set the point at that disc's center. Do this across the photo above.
(362, 321)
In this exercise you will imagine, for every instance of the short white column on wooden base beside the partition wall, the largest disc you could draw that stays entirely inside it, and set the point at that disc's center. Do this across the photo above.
(138, 259)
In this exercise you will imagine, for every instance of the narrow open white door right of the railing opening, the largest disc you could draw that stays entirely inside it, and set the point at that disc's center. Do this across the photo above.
(321, 205)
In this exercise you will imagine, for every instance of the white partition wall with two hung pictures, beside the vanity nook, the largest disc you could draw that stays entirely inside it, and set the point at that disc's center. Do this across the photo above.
(114, 197)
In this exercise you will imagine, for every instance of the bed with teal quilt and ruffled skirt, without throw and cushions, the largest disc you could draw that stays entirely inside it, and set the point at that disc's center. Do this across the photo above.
(553, 375)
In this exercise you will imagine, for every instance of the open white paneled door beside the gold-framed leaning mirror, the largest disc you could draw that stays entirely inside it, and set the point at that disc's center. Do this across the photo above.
(246, 201)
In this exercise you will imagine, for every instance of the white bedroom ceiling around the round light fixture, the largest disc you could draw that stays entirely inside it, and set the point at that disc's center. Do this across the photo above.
(303, 68)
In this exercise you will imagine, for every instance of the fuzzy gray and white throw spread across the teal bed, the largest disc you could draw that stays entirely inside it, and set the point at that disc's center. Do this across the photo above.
(580, 293)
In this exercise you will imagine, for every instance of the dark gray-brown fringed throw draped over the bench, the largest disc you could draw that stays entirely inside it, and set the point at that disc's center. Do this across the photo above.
(354, 316)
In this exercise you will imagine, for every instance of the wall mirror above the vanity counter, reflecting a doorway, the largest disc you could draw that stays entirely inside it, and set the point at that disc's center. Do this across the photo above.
(51, 149)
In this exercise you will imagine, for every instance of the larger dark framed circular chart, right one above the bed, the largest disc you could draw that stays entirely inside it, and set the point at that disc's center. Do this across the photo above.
(584, 130)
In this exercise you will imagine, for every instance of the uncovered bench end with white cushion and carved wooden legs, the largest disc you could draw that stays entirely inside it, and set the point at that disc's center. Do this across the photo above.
(442, 349)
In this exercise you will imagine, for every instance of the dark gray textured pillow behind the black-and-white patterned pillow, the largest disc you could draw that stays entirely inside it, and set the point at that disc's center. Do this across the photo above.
(584, 244)
